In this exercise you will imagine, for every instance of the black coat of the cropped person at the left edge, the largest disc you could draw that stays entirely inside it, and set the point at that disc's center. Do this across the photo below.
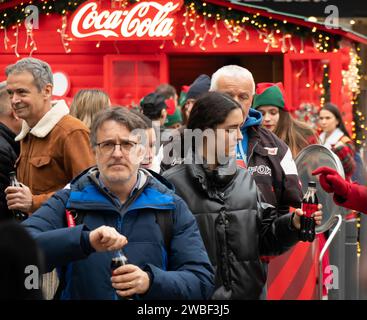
(9, 151)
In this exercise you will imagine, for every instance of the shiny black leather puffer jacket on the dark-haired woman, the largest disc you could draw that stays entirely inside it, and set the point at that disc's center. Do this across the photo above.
(236, 227)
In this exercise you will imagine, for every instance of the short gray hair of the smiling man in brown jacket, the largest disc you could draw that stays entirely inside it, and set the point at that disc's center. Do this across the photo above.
(40, 70)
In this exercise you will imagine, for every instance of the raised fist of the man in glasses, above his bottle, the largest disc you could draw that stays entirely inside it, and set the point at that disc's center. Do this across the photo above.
(106, 239)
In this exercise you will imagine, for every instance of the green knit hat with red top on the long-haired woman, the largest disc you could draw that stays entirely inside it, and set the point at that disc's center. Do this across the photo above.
(268, 96)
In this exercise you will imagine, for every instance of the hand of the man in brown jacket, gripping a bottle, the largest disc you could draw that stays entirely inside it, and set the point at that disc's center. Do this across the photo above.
(19, 198)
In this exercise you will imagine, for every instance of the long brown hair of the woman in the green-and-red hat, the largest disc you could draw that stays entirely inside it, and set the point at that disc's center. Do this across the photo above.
(294, 133)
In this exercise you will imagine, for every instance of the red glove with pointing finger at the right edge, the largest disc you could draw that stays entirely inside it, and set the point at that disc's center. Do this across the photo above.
(331, 181)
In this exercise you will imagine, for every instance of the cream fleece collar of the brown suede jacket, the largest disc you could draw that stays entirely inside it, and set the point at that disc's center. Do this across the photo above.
(43, 127)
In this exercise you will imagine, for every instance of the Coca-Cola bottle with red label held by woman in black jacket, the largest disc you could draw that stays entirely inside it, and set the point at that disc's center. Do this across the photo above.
(309, 206)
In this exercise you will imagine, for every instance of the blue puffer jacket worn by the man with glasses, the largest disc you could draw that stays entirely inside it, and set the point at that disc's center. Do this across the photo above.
(190, 274)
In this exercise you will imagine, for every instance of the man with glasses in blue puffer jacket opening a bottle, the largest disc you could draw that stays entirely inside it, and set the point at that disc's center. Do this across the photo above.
(117, 205)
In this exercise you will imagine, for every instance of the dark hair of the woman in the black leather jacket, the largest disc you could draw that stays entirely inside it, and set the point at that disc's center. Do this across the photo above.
(210, 110)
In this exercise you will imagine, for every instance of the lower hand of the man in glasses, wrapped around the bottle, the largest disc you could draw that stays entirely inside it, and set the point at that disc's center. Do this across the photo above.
(129, 280)
